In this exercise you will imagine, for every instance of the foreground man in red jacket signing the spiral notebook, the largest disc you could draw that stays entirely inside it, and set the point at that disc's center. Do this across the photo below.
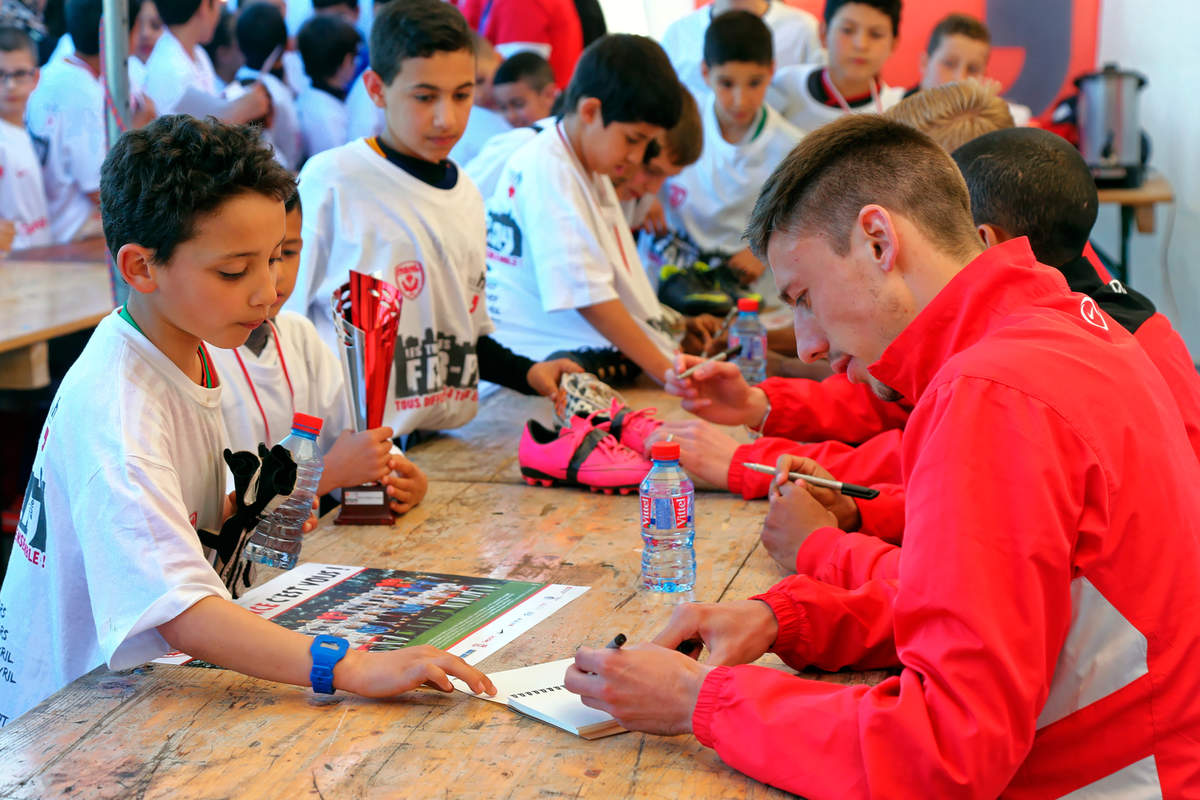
(1047, 619)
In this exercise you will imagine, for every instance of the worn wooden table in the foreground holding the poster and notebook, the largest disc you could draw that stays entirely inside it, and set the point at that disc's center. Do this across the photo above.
(181, 732)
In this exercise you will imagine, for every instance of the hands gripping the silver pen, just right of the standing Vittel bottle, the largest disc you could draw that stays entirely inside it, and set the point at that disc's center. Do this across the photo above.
(799, 509)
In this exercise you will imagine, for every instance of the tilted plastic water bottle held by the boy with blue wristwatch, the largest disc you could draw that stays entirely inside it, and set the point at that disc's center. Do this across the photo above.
(277, 540)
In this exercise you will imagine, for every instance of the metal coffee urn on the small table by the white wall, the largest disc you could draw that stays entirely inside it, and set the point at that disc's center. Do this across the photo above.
(1109, 127)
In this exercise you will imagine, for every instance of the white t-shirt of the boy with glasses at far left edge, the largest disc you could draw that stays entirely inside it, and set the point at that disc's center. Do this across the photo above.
(22, 190)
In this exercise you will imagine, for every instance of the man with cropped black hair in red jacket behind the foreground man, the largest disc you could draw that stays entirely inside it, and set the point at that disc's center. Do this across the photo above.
(1023, 183)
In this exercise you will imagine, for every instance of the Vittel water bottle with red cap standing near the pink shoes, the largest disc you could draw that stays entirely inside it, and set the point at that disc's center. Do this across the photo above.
(669, 528)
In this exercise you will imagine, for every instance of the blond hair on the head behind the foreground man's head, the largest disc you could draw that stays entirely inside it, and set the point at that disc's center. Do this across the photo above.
(955, 113)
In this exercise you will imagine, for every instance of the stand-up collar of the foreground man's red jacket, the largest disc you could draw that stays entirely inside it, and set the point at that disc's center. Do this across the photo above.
(1000, 280)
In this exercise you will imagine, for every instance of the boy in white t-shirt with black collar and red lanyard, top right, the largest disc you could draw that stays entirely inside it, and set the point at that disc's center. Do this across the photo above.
(860, 35)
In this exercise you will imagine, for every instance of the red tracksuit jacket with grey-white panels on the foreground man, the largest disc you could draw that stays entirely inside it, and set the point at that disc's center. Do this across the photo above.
(1047, 618)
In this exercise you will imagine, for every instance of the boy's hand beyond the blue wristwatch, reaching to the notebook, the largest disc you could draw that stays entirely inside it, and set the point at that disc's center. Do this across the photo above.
(394, 672)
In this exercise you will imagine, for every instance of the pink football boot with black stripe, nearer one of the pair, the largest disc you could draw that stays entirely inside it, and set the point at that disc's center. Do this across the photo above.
(579, 455)
